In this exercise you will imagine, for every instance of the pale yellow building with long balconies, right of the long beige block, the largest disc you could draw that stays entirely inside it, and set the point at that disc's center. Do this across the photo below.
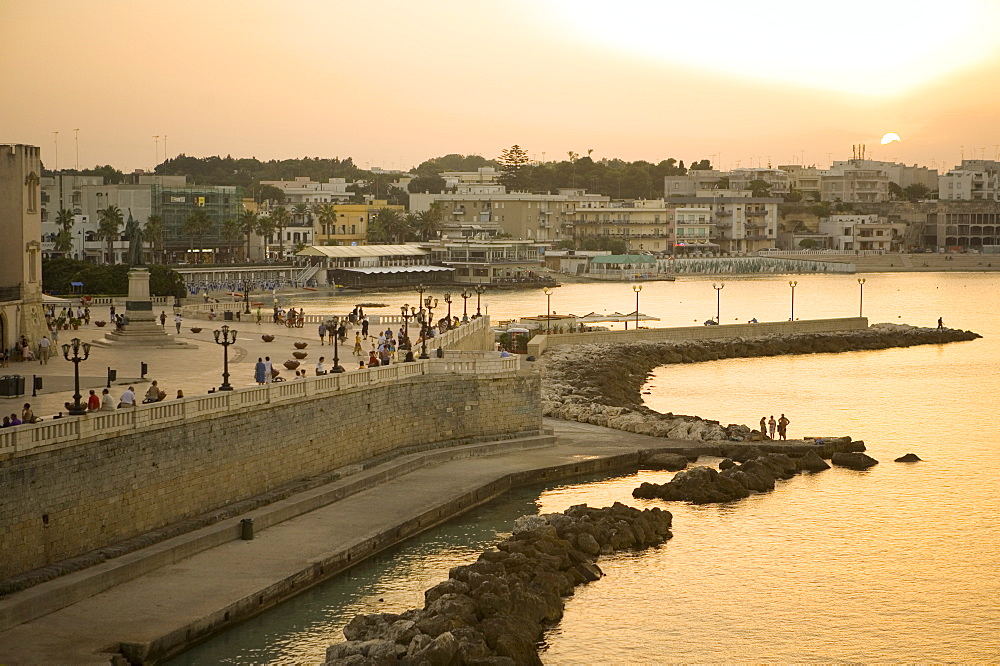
(644, 225)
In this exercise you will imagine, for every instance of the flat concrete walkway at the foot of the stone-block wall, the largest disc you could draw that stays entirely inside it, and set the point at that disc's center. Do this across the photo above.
(164, 610)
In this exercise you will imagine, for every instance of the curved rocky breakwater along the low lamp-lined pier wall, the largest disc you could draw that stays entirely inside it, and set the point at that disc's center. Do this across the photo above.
(602, 383)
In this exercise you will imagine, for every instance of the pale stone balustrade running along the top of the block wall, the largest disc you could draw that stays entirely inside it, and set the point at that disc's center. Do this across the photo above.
(73, 429)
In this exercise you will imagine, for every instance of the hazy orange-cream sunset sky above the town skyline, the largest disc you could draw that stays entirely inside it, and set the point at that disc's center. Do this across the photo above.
(393, 83)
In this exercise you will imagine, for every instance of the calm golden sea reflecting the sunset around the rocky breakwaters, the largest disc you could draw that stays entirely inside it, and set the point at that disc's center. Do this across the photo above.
(900, 563)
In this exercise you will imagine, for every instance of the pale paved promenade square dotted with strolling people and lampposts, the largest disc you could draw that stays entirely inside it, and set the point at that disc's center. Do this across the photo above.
(194, 371)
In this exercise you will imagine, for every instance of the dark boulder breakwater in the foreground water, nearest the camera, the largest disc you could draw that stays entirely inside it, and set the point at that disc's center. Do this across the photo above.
(495, 610)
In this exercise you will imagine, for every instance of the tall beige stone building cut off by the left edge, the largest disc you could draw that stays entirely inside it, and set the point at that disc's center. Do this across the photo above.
(20, 257)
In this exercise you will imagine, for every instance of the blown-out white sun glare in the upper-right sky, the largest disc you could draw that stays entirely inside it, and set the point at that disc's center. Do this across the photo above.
(854, 46)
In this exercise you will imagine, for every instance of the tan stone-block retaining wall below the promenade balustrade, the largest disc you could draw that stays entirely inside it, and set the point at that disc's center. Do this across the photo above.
(64, 501)
